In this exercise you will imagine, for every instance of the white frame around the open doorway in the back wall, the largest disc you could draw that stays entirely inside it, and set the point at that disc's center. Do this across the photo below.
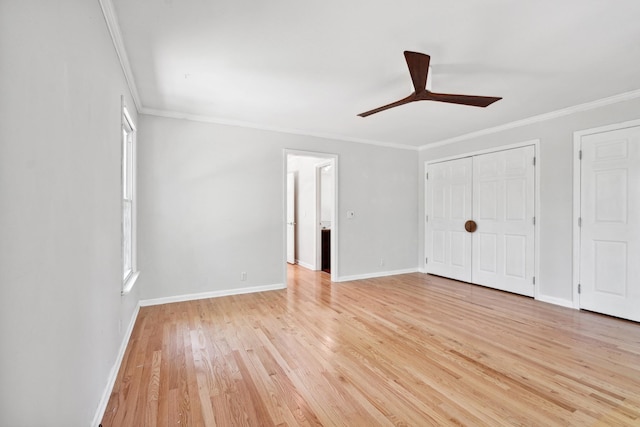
(330, 158)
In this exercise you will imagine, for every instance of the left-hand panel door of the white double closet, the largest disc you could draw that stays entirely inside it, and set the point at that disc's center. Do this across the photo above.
(448, 245)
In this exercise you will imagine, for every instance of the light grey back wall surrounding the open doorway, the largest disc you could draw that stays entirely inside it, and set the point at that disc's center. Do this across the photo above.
(211, 206)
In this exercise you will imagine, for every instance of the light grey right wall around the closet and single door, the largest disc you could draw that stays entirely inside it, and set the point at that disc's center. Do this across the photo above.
(555, 166)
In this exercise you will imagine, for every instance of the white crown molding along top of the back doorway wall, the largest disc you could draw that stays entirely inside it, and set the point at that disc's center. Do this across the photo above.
(238, 123)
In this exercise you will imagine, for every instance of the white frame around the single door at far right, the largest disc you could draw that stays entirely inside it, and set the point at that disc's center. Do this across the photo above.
(577, 194)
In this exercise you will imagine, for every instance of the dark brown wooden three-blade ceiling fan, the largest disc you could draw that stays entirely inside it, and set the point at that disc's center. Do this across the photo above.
(418, 64)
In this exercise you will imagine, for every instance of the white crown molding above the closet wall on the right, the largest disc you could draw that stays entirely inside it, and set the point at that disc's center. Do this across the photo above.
(626, 96)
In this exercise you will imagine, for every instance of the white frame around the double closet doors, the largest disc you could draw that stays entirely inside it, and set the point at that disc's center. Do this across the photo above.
(536, 201)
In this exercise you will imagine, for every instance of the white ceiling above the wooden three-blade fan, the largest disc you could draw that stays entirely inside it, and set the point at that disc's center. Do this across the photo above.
(310, 67)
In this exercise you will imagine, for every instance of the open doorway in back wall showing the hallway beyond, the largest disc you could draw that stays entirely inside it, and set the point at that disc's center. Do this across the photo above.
(310, 211)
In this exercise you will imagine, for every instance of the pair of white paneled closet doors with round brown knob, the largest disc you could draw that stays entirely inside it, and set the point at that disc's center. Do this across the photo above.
(481, 219)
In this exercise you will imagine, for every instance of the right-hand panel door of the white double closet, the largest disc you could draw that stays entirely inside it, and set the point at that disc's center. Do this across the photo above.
(503, 208)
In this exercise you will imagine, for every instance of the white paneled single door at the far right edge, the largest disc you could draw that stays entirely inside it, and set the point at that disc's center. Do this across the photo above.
(610, 223)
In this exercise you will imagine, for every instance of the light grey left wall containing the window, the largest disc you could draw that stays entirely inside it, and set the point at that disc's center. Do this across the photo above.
(60, 268)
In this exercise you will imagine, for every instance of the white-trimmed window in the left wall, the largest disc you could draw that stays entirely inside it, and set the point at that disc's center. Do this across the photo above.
(128, 170)
